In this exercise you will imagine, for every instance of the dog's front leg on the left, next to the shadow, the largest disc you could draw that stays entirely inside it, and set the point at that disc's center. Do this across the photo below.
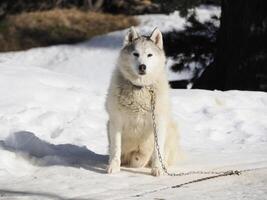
(114, 147)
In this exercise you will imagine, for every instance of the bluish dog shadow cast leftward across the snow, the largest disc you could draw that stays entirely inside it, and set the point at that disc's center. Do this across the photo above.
(43, 153)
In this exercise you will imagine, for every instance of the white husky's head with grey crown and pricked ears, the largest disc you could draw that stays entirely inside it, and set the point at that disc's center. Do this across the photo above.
(142, 58)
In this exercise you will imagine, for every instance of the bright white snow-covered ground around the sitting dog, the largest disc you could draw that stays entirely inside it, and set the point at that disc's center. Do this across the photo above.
(53, 142)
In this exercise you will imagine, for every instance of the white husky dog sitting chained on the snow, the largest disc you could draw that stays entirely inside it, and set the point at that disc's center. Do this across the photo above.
(141, 65)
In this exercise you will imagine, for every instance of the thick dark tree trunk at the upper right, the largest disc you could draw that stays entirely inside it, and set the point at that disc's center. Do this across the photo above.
(241, 57)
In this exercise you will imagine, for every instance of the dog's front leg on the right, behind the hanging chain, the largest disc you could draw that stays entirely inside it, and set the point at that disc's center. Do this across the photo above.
(161, 134)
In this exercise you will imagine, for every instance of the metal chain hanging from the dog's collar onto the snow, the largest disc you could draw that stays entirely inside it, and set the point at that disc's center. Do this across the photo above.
(156, 143)
